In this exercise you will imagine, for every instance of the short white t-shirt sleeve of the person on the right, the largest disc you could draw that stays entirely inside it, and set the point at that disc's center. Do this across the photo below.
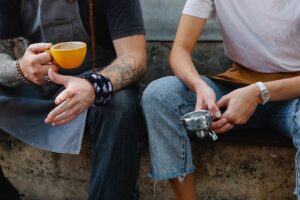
(199, 8)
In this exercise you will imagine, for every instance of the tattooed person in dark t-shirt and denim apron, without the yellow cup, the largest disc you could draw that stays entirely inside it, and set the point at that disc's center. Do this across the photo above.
(49, 108)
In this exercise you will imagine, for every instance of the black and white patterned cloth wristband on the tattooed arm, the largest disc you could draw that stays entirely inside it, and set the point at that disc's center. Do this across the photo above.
(102, 86)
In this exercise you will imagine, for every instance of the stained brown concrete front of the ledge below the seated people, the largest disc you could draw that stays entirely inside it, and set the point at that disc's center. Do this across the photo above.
(224, 171)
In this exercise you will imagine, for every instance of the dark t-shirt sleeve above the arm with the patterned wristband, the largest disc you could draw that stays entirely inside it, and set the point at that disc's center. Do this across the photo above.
(124, 18)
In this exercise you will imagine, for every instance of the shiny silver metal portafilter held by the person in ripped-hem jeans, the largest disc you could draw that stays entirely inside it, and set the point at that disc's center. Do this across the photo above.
(200, 122)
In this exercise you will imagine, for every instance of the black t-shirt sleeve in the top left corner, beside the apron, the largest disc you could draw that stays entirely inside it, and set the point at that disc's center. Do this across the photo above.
(10, 22)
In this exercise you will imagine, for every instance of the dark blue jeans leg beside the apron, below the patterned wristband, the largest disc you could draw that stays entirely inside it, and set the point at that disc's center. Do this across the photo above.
(114, 137)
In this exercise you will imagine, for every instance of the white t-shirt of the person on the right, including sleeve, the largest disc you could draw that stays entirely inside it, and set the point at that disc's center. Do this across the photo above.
(262, 35)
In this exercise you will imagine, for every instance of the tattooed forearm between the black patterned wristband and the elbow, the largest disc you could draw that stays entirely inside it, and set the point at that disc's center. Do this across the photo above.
(124, 71)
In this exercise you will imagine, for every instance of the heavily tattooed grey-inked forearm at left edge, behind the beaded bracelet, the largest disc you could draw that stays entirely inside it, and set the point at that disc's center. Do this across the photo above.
(8, 72)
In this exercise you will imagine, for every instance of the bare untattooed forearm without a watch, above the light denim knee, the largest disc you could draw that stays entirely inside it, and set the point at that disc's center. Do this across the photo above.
(184, 68)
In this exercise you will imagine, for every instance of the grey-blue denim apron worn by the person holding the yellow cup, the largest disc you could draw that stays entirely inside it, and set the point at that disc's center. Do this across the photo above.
(23, 109)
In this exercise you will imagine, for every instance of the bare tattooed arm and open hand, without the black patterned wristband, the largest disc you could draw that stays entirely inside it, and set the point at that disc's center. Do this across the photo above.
(79, 94)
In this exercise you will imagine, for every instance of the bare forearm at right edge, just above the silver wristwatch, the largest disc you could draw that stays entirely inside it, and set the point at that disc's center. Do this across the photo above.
(285, 89)
